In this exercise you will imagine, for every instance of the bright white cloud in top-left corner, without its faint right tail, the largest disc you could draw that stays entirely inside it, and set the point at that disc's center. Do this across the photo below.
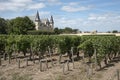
(19, 5)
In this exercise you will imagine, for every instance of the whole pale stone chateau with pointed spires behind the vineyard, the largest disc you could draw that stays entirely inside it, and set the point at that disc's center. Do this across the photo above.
(44, 24)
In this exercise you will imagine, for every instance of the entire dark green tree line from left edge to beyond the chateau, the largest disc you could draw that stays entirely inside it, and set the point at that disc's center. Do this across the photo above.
(23, 25)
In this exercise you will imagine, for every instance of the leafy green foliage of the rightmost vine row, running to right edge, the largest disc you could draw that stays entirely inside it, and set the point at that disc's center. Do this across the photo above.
(104, 46)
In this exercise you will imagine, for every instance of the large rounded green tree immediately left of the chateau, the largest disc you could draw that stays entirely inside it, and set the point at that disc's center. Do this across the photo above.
(20, 25)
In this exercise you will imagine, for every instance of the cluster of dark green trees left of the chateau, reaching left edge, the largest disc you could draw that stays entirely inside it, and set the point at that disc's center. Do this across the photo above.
(19, 25)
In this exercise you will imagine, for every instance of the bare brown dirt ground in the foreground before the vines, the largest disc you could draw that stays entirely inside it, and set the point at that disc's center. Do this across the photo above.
(55, 72)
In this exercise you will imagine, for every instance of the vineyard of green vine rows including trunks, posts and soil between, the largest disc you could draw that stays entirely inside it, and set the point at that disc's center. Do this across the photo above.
(53, 51)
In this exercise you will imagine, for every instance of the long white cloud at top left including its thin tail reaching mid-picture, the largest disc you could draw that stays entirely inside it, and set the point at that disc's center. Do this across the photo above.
(20, 5)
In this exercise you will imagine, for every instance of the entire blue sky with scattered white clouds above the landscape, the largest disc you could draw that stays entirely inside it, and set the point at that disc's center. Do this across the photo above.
(85, 15)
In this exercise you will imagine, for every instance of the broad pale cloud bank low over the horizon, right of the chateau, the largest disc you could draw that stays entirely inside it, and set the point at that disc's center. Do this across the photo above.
(99, 22)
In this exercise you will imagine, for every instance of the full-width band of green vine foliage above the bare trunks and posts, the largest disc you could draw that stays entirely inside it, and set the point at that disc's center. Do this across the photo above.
(104, 45)
